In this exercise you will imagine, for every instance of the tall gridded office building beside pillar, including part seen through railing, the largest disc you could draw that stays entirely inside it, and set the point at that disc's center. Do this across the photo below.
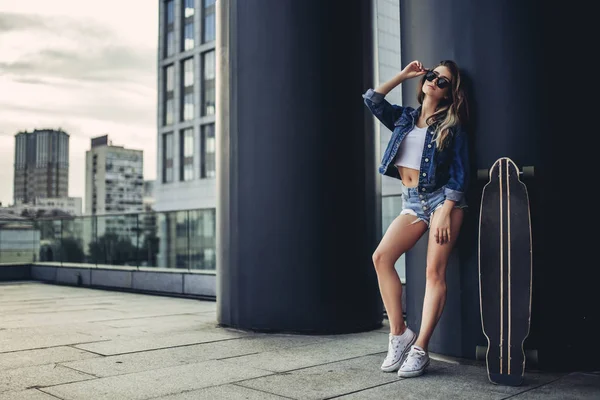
(186, 173)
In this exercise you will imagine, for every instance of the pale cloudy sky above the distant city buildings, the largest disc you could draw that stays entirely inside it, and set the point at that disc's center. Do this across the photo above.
(88, 67)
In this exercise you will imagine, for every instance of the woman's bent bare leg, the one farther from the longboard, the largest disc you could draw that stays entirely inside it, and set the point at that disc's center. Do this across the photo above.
(401, 235)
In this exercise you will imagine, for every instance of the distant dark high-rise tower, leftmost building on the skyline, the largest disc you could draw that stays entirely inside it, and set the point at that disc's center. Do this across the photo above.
(41, 165)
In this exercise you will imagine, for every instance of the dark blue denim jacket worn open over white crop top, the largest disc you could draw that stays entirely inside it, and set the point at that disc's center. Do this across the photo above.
(448, 167)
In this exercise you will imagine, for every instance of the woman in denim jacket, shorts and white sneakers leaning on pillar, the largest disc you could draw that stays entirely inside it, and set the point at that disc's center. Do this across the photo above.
(428, 152)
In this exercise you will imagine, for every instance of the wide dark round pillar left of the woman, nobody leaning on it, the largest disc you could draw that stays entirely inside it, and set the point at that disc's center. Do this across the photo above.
(298, 213)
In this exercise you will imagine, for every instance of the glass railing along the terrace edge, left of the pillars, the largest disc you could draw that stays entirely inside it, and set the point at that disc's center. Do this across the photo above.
(173, 239)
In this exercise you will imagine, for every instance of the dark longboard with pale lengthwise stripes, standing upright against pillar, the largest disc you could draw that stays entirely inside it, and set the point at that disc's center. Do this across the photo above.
(505, 271)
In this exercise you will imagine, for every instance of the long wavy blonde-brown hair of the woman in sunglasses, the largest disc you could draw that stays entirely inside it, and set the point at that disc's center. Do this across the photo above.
(452, 110)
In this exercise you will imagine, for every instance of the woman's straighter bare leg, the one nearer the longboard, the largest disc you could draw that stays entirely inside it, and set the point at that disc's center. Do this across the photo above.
(435, 287)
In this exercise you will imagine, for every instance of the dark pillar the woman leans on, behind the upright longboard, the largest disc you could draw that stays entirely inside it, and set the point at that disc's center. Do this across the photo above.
(512, 53)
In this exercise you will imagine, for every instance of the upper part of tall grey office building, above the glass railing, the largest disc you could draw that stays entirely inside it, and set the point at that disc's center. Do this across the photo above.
(186, 106)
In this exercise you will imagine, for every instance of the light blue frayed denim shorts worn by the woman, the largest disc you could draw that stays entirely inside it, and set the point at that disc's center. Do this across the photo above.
(422, 205)
